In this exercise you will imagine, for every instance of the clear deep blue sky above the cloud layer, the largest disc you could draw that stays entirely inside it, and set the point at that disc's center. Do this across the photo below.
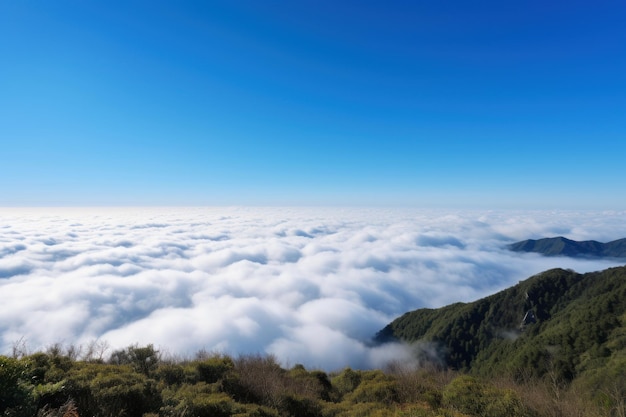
(423, 103)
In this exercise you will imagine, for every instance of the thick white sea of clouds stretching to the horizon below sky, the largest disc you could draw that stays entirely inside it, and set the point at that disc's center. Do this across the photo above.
(310, 286)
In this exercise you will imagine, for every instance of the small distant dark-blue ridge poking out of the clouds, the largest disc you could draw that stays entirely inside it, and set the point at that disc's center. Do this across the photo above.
(560, 246)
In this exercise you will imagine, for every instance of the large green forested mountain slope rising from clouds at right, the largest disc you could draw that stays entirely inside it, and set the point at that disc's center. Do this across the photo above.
(558, 322)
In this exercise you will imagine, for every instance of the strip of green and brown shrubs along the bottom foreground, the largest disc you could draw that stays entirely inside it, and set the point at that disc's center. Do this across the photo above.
(139, 382)
